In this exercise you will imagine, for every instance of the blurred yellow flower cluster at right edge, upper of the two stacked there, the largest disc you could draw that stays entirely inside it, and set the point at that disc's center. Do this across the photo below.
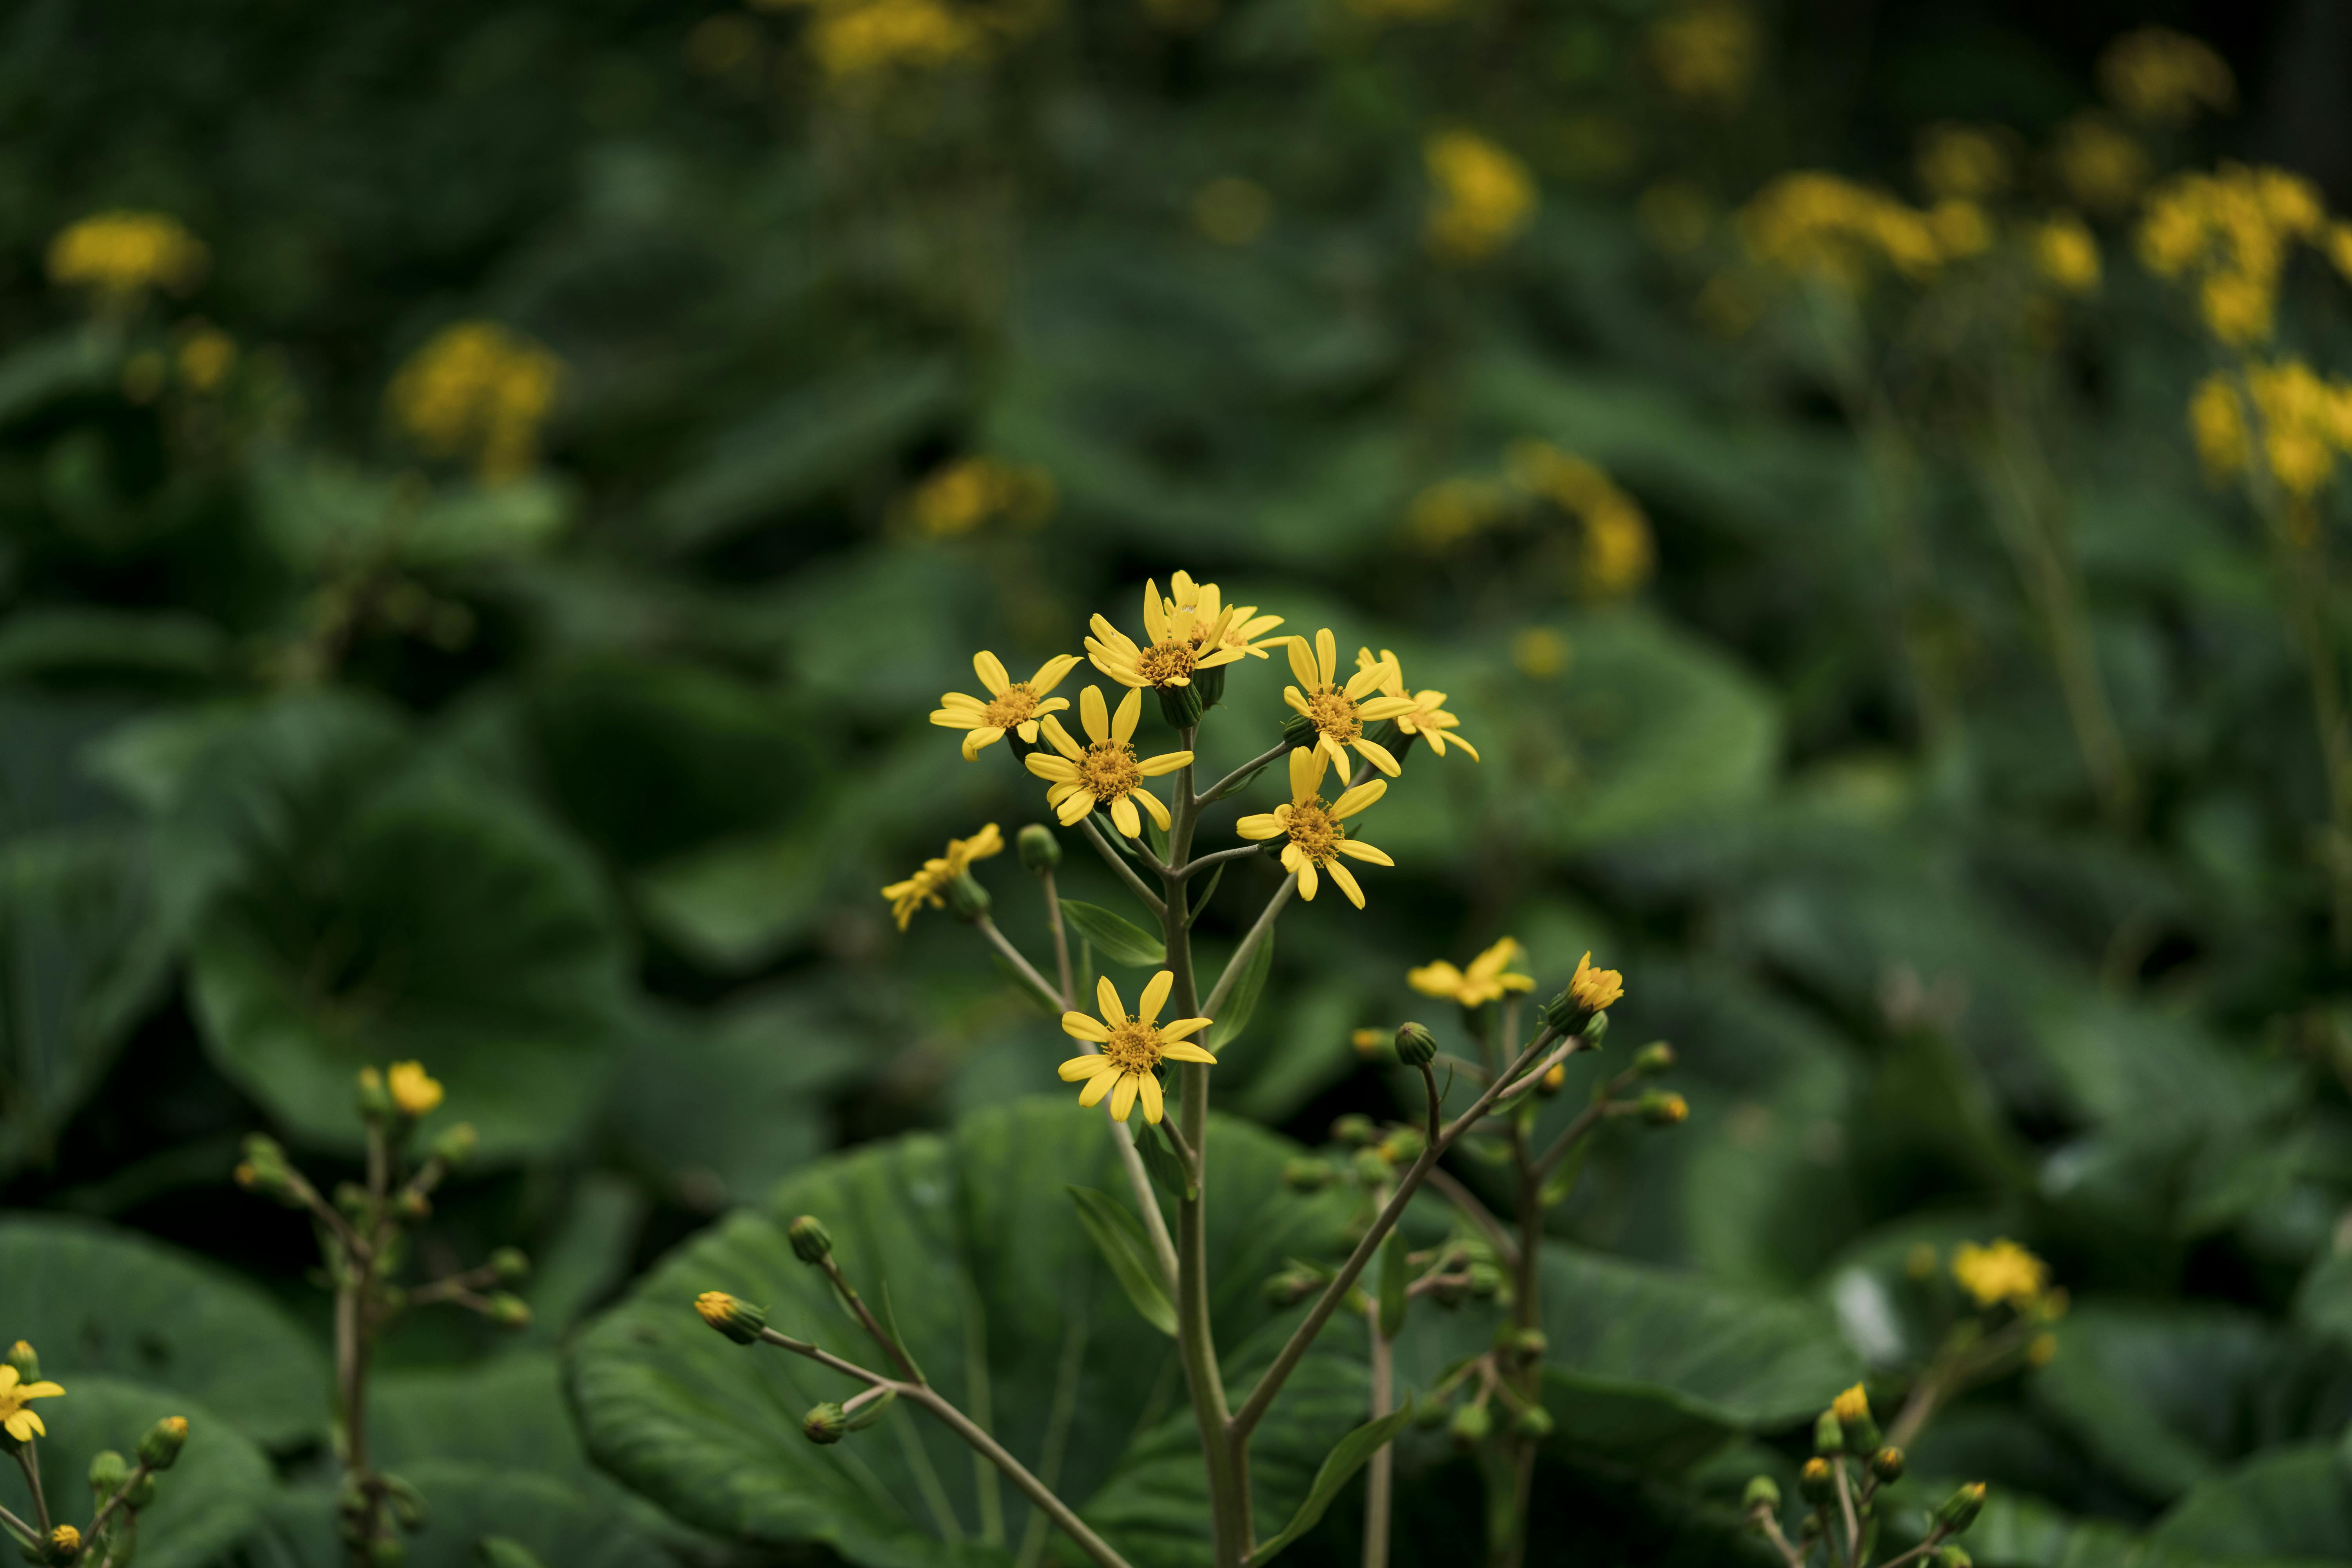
(2233, 234)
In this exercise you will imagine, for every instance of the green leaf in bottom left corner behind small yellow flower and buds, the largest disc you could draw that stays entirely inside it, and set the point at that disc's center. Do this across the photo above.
(206, 1503)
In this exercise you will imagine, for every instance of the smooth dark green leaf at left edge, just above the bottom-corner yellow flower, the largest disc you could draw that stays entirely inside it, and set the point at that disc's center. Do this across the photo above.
(93, 1299)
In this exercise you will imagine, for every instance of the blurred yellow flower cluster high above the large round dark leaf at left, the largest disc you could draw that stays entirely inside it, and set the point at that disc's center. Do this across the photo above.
(479, 391)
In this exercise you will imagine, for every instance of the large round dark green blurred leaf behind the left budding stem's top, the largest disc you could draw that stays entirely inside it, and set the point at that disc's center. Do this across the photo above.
(356, 904)
